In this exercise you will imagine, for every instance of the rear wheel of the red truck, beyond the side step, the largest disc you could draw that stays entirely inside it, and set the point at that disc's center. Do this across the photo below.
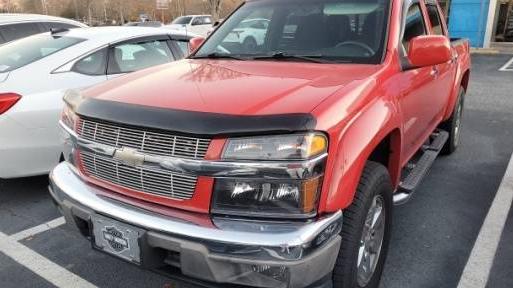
(453, 125)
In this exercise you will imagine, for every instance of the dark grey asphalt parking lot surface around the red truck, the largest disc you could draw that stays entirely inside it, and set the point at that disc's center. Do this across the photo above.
(433, 235)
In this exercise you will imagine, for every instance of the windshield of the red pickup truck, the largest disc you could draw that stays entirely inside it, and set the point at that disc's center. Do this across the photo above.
(331, 30)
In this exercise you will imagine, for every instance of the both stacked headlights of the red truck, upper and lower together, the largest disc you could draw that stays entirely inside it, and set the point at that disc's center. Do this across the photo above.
(269, 196)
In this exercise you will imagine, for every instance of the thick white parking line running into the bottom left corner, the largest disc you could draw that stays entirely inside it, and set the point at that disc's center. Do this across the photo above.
(41, 266)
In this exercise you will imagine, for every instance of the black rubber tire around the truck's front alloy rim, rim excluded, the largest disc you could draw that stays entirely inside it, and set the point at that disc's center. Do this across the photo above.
(374, 184)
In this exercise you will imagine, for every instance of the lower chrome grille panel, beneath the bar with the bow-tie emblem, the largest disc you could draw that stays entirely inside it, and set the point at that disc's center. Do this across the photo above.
(154, 181)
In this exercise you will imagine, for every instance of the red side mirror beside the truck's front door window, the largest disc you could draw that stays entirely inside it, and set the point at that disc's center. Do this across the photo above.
(429, 50)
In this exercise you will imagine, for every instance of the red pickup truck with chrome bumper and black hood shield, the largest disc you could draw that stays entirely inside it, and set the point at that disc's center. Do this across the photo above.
(271, 156)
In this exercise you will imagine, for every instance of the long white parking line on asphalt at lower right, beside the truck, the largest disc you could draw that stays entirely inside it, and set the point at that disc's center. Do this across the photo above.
(479, 264)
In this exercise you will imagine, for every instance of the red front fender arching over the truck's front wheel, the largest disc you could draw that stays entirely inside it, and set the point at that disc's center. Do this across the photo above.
(353, 140)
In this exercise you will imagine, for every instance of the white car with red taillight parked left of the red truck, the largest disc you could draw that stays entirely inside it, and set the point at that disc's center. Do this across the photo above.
(36, 71)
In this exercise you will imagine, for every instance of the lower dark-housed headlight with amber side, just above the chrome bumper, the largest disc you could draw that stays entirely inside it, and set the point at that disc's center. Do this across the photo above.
(266, 198)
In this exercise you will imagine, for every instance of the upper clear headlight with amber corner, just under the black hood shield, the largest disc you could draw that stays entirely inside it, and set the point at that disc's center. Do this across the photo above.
(283, 147)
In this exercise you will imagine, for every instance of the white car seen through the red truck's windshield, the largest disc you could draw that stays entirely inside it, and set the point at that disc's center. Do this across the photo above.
(250, 33)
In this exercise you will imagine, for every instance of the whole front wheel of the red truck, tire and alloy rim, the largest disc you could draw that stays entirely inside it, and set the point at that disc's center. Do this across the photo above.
(366, 231)
